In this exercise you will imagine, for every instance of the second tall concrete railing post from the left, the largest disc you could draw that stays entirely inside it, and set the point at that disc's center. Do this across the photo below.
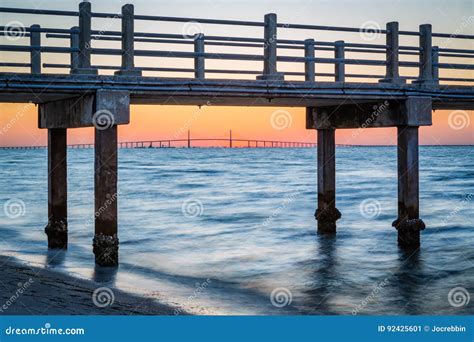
(128, 49)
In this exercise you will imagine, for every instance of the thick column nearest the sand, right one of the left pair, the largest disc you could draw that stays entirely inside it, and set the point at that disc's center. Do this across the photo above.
(105, 241)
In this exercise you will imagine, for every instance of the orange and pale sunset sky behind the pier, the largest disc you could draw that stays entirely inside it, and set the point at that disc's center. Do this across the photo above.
(18, 122)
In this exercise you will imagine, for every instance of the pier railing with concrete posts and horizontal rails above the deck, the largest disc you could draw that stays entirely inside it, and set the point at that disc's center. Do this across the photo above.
(435, 63)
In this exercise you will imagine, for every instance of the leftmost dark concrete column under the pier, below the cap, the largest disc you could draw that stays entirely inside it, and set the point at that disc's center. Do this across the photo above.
(57, 188)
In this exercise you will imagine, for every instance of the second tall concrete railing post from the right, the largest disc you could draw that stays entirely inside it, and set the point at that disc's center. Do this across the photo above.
(392, 69)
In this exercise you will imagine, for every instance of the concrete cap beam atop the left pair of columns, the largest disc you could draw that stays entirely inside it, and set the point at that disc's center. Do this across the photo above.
(83, 111)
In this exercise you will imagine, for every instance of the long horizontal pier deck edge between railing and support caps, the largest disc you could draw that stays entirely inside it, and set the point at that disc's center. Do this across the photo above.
(158, 90)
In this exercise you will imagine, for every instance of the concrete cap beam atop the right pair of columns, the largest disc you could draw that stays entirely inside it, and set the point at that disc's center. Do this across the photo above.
(415, 111)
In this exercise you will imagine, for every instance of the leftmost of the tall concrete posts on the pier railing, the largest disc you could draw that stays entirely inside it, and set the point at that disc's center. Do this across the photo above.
(85, 22)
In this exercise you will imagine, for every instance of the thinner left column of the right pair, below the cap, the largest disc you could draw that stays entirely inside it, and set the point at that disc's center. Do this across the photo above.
(327, 213)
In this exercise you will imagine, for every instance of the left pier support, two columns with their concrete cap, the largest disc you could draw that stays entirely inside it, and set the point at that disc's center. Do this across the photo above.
(104, 110)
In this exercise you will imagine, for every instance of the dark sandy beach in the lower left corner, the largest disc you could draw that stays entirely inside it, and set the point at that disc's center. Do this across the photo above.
(27, 290)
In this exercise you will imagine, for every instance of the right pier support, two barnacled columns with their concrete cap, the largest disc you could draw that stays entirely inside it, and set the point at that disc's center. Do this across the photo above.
(407, 115)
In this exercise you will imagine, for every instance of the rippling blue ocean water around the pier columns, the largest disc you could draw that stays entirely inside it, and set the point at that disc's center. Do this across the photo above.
(232, 231)
